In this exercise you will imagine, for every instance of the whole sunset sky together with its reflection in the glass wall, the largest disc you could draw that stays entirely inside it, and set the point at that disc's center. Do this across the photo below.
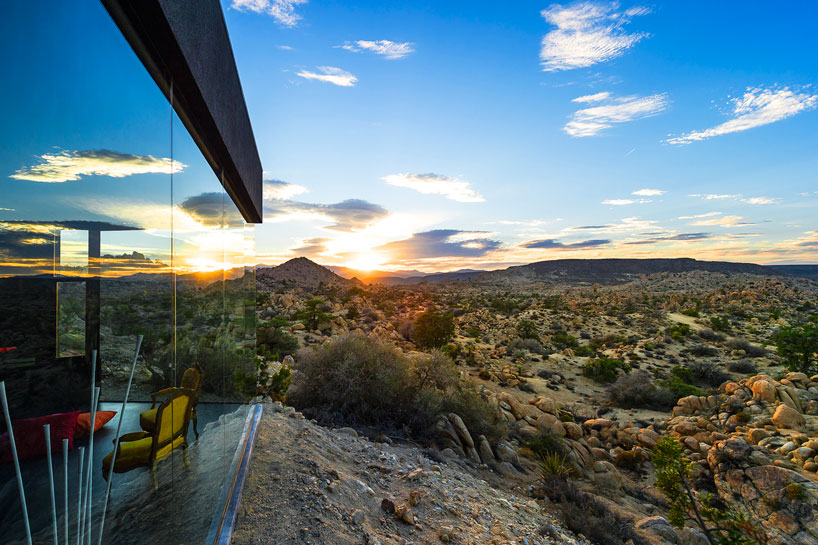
(428, 135)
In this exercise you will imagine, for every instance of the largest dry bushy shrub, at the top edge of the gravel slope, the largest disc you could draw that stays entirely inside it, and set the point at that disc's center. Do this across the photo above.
(362, 380)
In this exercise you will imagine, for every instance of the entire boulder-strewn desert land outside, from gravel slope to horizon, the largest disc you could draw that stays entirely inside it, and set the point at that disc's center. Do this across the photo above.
(577, 391)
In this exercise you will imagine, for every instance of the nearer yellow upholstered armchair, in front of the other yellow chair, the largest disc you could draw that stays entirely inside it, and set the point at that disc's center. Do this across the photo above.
(141, 449)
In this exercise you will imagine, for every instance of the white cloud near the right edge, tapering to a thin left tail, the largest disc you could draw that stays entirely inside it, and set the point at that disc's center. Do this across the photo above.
(756, 107)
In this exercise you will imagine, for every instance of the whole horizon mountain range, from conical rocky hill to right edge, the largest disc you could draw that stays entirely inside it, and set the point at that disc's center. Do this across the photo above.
(306, 273)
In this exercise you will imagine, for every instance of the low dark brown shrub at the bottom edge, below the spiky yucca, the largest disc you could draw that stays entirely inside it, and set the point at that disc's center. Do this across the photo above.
(583, 513)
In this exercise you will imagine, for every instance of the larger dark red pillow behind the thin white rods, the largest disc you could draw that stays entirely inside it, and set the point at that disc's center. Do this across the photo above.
(30, 438)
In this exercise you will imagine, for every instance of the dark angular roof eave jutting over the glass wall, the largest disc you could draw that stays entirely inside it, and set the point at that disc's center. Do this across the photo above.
(186, 43)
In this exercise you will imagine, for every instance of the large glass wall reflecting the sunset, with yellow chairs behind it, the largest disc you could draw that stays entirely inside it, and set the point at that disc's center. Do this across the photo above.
(112, 227)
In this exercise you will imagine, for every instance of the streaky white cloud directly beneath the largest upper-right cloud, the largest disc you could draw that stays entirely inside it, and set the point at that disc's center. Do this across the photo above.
(591, 121)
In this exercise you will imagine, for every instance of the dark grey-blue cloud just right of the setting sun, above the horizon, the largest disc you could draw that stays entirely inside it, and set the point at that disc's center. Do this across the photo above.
(442, 243)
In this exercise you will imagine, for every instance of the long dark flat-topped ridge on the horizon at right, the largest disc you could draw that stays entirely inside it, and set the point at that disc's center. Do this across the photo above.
(609, 271)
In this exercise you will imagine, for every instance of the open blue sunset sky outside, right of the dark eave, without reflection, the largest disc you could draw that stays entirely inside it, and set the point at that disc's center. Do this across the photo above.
(447, 135)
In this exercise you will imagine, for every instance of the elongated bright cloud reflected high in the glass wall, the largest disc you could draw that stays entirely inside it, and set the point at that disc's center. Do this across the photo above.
(65, 166)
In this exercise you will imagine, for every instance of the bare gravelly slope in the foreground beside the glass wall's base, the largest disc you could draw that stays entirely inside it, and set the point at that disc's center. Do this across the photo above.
(309, 484)
